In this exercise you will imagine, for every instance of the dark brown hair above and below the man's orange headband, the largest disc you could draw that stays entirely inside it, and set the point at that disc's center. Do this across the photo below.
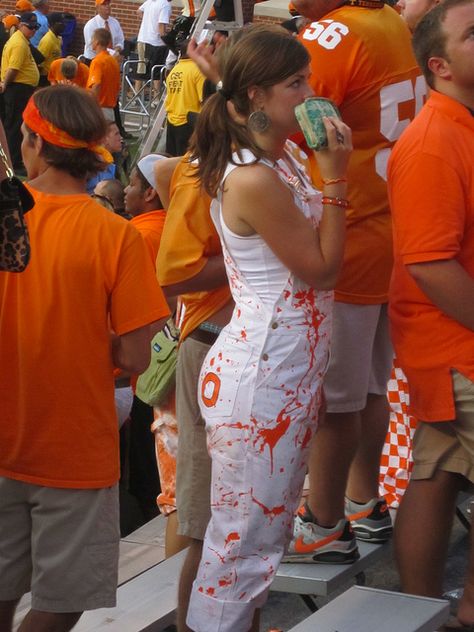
(76, 112)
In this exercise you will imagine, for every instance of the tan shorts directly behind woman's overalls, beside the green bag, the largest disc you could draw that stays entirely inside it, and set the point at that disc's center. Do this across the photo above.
(193, 467)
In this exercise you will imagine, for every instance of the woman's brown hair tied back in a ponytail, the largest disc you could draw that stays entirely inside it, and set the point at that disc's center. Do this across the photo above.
(256, 56)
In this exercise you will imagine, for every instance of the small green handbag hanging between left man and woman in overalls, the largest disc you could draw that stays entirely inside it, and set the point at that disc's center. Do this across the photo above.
(154, 384)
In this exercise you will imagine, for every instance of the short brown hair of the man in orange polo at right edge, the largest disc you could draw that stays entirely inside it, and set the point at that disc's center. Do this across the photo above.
(429, 38)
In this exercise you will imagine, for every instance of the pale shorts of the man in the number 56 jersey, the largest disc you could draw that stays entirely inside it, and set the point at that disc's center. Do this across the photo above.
(361, 356)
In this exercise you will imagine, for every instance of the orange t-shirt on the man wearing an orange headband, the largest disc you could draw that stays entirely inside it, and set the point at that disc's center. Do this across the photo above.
(88, 270)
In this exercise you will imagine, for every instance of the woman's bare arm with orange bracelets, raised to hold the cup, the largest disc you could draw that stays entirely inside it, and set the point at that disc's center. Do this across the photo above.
(257, 201)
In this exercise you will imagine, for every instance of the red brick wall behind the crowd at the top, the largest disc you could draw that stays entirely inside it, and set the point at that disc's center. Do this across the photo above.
(124, 10)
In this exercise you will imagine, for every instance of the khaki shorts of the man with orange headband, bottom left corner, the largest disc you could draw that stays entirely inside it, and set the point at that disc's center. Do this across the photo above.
(62, 544)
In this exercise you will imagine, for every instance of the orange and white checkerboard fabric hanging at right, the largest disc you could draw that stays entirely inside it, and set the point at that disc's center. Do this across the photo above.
(396, 462)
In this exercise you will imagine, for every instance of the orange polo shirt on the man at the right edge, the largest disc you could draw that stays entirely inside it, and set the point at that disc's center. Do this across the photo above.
(431, 187)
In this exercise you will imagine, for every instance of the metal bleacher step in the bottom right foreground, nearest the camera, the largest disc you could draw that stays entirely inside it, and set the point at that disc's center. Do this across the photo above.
(361, 609)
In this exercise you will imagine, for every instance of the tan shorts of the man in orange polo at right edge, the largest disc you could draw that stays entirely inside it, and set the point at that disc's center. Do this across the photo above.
(448, 445)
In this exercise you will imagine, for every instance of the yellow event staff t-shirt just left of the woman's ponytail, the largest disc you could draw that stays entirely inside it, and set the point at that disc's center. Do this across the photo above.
(184, 91)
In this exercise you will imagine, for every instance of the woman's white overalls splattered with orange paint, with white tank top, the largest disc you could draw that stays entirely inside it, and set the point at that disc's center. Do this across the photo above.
(259, 394)
